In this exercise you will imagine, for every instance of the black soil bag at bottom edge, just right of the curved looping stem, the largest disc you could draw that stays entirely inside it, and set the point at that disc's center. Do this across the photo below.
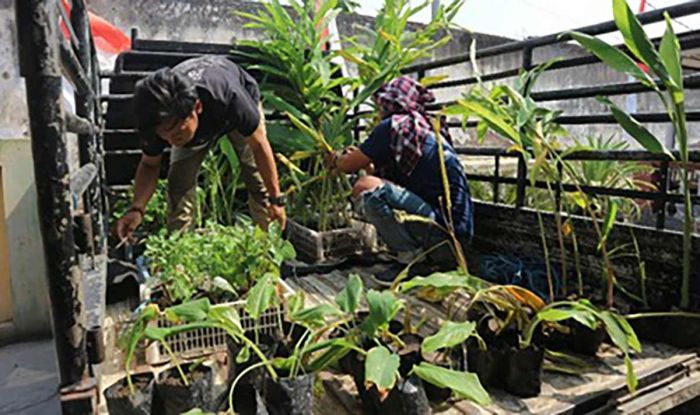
(290, 396)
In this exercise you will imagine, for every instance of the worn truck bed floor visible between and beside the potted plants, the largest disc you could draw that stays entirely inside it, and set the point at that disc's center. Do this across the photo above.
(668, 377)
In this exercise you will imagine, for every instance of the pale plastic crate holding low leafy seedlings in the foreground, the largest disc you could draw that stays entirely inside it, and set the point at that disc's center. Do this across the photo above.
(202, 342)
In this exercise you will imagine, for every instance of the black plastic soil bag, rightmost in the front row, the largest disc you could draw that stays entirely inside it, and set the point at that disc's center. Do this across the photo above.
(524, 378)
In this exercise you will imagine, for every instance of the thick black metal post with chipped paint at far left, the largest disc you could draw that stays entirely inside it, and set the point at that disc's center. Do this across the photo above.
(39, 61)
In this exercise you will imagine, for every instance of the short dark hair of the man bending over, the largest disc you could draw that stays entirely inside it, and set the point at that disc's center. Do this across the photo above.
(162, 95)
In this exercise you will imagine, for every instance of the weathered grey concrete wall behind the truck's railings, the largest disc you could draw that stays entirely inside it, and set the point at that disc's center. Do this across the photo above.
(215, 21)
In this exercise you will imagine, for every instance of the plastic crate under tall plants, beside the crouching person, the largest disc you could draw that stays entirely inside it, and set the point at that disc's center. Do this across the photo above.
(317, 246)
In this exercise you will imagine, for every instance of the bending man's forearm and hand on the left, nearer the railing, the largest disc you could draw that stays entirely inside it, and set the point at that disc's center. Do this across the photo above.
(144, 185)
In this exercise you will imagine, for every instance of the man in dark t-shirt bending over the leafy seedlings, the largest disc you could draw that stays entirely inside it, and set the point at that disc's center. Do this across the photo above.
(188, 108)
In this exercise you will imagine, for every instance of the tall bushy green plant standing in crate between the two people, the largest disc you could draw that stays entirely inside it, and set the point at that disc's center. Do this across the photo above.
(302, 82)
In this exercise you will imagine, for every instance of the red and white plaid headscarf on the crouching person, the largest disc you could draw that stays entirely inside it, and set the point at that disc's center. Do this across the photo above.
(404, 100)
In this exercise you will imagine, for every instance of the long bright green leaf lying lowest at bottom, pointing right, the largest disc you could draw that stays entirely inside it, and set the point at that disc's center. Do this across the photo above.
(464, 384)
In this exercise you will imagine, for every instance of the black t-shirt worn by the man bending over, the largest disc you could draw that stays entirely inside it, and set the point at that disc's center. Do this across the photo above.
(229, 97)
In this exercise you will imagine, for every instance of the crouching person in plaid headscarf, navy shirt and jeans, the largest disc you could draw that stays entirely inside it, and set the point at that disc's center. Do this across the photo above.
(403, 152)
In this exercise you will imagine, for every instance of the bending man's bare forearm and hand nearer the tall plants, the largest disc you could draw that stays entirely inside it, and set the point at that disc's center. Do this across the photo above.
(265, 161)
